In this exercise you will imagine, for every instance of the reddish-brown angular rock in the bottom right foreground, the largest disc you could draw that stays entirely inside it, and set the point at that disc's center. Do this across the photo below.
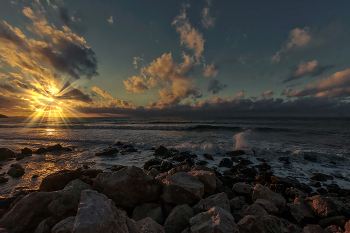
(323, 207)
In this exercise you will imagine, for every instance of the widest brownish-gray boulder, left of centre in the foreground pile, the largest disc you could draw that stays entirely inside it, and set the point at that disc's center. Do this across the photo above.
(128, 187)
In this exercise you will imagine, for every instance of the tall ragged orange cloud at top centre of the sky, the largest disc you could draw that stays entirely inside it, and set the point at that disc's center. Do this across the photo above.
(189, 36)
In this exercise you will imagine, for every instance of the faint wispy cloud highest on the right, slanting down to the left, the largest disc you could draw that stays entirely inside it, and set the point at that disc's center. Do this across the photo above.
(297, 38)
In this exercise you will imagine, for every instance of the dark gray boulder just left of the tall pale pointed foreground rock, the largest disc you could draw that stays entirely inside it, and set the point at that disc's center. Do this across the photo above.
(66, 202)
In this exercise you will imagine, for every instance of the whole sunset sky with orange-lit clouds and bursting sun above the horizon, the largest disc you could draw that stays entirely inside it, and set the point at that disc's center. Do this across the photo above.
(175, 58)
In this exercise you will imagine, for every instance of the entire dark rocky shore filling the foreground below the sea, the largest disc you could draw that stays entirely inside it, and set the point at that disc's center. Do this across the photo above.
(175, 192)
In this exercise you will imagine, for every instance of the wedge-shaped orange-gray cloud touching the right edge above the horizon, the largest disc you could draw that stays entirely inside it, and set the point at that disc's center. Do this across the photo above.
(337, 85)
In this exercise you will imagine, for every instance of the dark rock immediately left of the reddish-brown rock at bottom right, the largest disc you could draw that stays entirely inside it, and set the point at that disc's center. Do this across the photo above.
(301, 213)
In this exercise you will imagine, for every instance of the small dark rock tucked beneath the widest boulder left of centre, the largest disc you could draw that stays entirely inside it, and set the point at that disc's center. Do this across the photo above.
(151, 210)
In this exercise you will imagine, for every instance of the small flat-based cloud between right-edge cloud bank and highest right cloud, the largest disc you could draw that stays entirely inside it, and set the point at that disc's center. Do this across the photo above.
(311, 68)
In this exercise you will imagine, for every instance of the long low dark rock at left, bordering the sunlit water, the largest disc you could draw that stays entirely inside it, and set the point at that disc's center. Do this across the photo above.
(58, 180)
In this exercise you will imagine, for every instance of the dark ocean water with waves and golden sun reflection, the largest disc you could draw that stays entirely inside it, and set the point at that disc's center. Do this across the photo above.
(325, 139)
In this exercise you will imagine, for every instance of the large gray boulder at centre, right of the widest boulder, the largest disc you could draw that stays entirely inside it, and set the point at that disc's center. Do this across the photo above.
(182, 188)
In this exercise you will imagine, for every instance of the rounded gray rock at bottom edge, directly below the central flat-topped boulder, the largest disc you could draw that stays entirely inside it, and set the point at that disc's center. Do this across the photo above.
(178, 219)
